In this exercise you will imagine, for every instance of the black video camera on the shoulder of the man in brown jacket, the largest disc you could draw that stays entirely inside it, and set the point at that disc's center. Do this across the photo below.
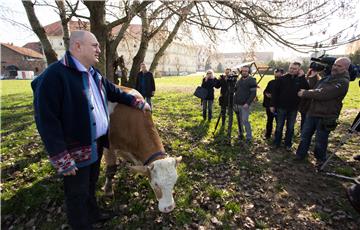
(324, 63)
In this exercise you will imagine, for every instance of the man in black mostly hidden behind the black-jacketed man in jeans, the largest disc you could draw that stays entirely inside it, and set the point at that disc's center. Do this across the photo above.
(267, 102)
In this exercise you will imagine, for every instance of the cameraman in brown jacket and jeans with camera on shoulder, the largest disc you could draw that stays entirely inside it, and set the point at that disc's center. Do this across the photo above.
(326, 103)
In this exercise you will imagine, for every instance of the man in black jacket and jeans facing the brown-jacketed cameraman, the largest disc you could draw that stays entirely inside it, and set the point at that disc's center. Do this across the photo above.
(286, 101)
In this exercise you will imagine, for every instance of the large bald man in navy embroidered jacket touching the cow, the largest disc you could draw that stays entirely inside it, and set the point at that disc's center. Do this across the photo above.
(71, 115)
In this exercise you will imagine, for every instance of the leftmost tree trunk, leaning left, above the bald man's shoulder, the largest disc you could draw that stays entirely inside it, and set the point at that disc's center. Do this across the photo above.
(49, 52)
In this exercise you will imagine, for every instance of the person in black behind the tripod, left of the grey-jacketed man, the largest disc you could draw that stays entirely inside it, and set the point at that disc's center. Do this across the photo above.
(223, 99)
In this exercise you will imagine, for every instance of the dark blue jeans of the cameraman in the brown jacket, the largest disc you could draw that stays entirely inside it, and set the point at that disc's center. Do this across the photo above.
(311, 125)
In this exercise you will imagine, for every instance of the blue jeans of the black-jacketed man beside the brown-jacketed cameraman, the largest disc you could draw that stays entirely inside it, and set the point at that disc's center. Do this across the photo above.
(288, 116)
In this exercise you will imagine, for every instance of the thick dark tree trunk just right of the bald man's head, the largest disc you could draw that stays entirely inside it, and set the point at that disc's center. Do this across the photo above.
(99, 29)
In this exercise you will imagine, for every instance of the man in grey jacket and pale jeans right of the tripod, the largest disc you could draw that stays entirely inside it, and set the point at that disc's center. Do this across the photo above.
(245, 92)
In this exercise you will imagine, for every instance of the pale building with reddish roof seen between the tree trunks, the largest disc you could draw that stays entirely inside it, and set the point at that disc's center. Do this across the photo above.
(179, 57)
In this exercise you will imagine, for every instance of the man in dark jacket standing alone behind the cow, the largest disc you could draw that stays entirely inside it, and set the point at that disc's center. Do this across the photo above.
(145, 83)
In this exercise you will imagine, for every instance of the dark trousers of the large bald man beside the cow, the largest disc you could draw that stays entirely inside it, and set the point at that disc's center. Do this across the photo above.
(80, 200)
